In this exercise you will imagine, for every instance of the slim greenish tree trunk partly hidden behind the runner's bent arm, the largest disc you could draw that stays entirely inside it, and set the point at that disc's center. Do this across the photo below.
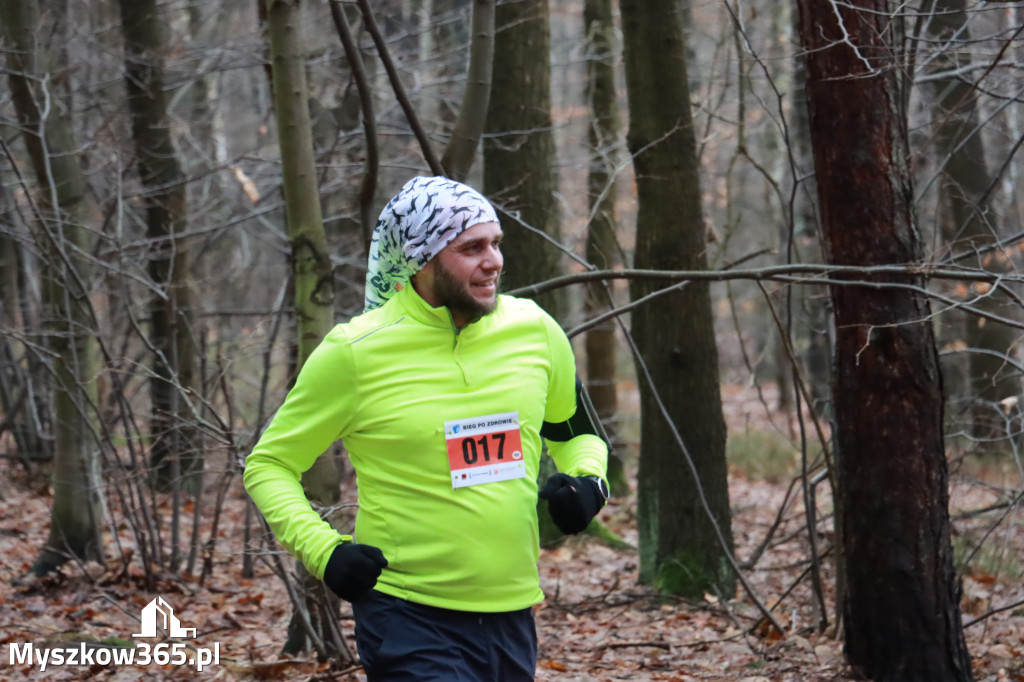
(311, 262)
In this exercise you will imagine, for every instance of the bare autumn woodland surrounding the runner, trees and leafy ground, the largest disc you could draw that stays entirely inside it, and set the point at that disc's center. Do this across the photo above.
(186, 197)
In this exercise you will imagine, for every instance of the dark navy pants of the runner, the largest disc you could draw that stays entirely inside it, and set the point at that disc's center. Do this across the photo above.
(400, 641)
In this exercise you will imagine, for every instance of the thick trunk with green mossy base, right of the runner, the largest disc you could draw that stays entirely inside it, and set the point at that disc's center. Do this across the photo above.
(680, 547)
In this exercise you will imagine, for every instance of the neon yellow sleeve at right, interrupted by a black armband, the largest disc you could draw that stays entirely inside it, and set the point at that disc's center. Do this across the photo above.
(585, 454)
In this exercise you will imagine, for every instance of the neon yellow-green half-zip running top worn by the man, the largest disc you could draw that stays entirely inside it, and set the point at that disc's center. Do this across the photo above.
(387, 383)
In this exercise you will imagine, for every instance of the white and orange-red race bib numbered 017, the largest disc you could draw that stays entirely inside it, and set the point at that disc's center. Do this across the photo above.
(485, 450)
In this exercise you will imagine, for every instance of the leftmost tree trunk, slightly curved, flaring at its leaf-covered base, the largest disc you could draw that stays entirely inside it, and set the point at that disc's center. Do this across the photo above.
(63, 238)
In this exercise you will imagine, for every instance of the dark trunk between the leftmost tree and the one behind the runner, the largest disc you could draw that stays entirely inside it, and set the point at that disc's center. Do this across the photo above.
(175, 453)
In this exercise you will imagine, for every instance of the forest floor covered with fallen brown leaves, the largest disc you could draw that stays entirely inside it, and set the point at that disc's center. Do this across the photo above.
(598, 623)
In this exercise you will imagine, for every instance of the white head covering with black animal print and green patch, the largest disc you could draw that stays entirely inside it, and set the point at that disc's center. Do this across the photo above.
(423, 219)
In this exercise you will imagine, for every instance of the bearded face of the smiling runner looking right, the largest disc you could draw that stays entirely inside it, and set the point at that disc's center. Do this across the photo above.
(464, 276)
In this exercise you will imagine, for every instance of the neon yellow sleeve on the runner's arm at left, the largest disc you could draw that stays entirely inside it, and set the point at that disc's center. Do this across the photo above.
(315, 414)
